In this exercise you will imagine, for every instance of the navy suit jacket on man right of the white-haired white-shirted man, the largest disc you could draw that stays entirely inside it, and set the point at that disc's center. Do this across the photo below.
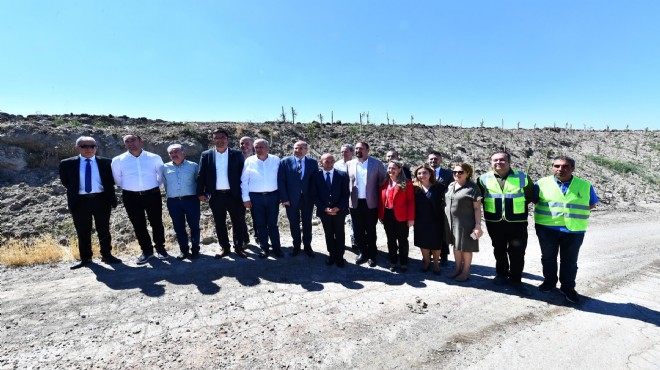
(291, 187)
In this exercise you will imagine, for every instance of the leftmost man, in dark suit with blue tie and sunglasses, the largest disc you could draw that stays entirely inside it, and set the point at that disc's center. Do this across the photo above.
(90, 194)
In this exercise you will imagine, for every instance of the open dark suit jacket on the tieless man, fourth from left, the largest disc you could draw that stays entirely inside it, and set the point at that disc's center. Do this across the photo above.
(207, 176)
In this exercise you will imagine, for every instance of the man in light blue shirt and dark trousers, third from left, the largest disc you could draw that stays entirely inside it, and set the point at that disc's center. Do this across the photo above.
(180, 180)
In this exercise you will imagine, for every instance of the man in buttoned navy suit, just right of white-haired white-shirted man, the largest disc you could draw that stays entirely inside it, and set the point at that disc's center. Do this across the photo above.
(294, 184)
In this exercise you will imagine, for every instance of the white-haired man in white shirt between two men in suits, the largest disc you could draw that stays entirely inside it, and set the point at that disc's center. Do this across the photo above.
(259, 188)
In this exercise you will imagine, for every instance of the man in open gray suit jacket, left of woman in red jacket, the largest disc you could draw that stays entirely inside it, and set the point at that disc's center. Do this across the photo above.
(366, 175)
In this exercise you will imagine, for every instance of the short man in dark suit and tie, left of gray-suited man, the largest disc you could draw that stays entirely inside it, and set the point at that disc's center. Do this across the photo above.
(330, 192)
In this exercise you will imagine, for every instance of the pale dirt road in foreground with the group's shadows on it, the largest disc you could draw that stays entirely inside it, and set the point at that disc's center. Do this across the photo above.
(297, 313)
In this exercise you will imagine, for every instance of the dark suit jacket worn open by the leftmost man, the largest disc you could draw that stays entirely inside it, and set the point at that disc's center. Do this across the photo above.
(70, 177)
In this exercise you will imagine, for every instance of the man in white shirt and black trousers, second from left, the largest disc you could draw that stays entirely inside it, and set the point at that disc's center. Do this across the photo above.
(138, 173)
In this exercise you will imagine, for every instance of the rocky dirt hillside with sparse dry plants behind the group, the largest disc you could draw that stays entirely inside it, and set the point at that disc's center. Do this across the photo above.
(32, 200)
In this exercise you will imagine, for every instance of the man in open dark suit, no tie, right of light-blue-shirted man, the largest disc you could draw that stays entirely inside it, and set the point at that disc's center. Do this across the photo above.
(219, 183)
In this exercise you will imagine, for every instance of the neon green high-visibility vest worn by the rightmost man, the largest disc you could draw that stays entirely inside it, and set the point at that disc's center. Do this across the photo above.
(556, 209)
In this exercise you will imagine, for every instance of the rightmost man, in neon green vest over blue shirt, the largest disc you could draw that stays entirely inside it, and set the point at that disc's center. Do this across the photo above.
(563, 204)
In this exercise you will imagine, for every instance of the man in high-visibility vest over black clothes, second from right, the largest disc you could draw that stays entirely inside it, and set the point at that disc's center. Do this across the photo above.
(506, 196)
